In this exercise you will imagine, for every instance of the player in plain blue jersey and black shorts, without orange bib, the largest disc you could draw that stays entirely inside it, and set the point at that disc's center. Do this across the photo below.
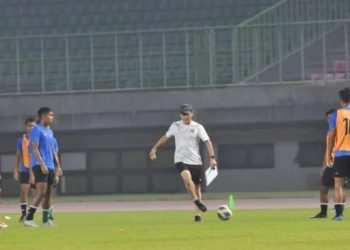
(43, 166)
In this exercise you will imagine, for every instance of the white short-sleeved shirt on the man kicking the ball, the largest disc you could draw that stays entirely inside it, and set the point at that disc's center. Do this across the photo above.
(187, 138)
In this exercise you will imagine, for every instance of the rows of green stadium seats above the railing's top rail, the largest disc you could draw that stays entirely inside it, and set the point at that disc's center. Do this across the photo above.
(23, 17)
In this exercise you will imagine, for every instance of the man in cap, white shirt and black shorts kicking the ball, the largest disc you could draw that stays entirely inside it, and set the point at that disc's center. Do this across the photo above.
(188, 162)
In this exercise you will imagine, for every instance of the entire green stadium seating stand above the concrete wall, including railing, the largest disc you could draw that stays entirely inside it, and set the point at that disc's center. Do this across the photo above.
(243, 42)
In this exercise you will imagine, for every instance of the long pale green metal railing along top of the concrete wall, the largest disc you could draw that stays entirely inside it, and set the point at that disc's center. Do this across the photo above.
(172, 58)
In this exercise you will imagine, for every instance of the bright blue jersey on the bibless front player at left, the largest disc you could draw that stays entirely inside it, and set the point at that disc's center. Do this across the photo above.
(43, 136)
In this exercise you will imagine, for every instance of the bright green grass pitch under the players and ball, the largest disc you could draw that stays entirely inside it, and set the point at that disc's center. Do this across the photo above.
(253, 229)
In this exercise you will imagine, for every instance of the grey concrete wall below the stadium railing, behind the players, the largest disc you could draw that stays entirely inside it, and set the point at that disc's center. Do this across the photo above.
(119, 122)
